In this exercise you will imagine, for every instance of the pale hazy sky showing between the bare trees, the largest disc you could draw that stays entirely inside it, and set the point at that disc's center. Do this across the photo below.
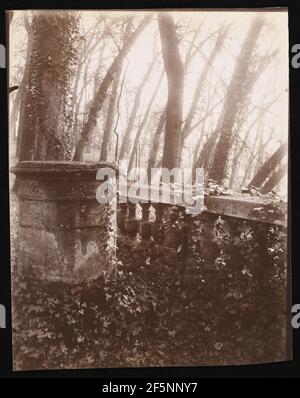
(270, 91)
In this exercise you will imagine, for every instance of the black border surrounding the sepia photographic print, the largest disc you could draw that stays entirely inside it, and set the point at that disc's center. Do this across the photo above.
(274, 370)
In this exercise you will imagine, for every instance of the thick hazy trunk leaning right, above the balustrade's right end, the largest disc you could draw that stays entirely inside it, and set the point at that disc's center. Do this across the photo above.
(238, 90)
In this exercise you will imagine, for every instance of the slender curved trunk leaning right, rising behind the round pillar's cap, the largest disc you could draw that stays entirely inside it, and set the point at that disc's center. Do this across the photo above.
(103, 89)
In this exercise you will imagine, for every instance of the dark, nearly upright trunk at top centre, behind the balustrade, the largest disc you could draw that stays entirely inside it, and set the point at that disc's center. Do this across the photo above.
(175, 75)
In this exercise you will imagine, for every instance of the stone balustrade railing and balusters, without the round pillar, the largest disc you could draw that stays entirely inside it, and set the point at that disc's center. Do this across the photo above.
(135, 218)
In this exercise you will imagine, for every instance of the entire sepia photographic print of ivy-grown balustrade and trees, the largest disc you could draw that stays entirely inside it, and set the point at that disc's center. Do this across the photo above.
(148, 167)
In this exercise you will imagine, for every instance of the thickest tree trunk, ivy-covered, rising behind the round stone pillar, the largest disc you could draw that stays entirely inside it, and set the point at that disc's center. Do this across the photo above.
(44, 128)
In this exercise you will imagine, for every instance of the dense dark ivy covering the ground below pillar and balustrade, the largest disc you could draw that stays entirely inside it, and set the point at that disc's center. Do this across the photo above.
(165, 304)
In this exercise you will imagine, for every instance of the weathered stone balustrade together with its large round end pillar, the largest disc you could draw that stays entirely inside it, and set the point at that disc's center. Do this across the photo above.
(66, 234)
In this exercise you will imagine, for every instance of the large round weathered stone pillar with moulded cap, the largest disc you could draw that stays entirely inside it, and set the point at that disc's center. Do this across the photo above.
(65, 233)
